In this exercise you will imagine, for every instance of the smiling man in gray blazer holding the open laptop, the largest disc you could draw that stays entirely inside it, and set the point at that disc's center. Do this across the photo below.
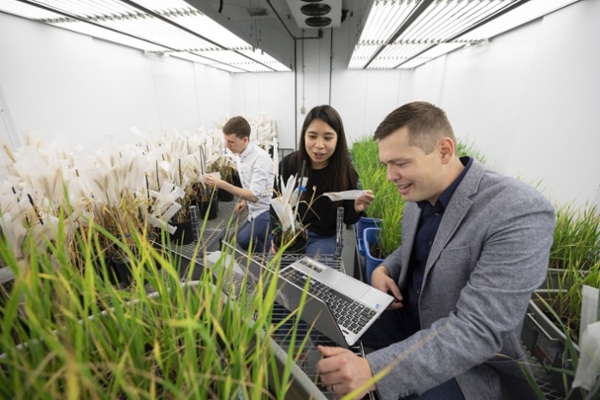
(475, 245)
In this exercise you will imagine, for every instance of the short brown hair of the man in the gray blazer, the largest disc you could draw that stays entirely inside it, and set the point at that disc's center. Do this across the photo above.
(425, 122)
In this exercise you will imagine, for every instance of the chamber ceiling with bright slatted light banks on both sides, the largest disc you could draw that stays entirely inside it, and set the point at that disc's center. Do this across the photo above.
(260, 35)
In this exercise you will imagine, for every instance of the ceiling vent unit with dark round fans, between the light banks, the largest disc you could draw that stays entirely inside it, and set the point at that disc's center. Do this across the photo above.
(316, 13)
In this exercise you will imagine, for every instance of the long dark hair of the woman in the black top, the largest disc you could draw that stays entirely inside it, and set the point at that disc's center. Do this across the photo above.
(343, 175)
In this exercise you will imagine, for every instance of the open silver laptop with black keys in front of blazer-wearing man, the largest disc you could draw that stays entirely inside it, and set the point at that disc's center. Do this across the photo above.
(338, 306)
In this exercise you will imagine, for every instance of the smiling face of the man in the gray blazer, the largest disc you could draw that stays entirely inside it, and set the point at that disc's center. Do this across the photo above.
(418, 176)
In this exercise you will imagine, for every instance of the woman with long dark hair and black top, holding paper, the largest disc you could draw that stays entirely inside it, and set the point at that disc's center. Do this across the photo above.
(324, 152)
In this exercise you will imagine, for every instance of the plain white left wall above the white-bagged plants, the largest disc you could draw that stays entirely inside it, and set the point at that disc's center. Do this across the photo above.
(70, 86)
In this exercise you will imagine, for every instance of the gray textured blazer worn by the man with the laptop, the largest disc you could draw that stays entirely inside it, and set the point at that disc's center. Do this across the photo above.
(490, 253)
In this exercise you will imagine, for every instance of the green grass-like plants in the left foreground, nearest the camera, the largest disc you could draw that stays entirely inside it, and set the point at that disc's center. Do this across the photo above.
(67, 332)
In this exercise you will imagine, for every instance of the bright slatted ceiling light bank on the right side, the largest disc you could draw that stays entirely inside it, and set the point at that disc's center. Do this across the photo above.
(403, 30)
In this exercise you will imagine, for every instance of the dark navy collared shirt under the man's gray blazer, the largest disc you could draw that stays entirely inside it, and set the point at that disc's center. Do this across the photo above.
(429, 222)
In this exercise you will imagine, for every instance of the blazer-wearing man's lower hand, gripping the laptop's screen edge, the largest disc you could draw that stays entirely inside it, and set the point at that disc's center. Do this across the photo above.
(342, 371)
